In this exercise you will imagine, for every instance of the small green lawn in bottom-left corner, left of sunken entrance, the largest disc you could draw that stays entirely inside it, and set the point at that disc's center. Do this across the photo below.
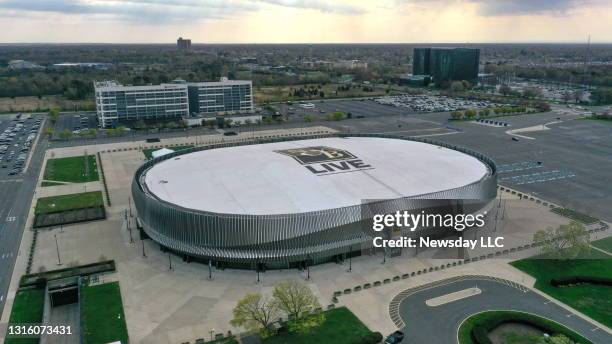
(27, 309)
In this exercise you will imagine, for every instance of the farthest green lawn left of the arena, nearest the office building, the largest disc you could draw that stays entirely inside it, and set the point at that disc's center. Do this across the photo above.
(73, 169)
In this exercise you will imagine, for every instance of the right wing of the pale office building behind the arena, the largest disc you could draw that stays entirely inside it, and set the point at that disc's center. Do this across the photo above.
(222, 97)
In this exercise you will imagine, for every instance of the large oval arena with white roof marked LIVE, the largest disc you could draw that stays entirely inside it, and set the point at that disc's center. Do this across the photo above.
(295, 202)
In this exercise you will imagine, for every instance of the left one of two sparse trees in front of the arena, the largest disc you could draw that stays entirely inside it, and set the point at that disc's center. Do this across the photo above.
(255, 313)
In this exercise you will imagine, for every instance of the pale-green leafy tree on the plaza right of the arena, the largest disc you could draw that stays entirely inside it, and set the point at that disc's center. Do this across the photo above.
(566, 242)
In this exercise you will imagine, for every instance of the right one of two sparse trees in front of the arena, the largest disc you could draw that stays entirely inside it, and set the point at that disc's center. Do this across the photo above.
(300, 304)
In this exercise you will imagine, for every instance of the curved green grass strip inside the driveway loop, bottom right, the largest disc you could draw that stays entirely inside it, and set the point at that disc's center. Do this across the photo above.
(486, 319)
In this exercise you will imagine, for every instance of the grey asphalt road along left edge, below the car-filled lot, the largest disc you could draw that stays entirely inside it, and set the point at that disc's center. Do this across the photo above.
(15, 198)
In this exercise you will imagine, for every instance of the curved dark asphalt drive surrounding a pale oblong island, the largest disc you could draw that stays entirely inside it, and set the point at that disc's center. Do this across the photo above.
(425, 324)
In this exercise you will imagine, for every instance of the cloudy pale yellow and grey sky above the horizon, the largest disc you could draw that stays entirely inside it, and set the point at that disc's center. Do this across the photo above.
(305, 21)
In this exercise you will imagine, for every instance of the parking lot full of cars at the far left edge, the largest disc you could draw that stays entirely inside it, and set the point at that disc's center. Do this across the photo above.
(17, 134)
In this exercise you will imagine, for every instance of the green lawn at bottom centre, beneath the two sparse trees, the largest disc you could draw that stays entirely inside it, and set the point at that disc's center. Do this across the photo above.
(340, 327)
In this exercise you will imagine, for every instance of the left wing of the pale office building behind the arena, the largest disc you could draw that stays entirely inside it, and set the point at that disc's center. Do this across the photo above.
(117, 103)
